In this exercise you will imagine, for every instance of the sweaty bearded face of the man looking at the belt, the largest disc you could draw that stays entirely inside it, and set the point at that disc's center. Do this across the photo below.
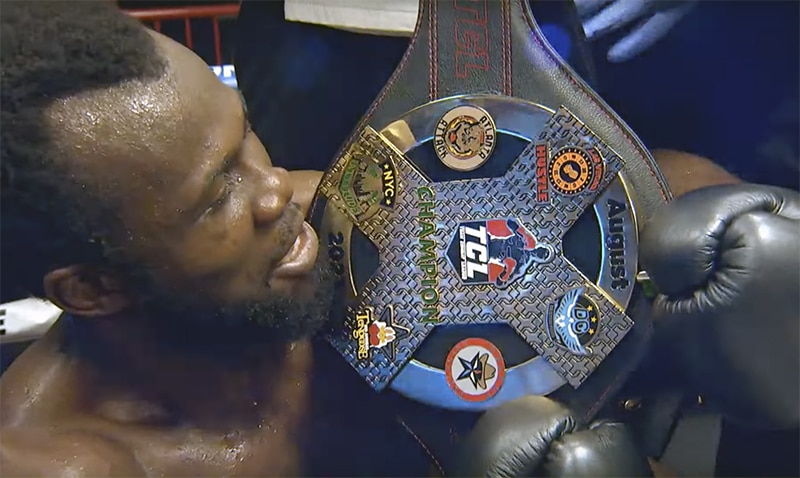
(214, 229)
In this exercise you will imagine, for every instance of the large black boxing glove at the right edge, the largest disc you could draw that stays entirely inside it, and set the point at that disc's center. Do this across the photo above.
(725, 261)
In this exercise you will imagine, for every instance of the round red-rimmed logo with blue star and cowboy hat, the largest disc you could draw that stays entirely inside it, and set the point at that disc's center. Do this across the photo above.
(475, 369)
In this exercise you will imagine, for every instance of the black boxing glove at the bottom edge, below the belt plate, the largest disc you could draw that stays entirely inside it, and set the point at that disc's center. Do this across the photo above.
(536, 436)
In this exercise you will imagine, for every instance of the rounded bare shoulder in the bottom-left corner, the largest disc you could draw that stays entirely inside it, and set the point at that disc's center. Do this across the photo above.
(28, 451)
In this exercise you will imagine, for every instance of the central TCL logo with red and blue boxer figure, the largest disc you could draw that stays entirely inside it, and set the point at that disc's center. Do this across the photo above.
(496, 251)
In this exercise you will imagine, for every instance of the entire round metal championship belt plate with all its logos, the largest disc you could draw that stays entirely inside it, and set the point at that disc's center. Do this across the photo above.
(485, 248)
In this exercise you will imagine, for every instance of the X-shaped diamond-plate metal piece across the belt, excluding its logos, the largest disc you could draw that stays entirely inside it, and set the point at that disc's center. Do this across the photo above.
(523, 304)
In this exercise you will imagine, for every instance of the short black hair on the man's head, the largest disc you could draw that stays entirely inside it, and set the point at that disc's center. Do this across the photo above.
(51, 51)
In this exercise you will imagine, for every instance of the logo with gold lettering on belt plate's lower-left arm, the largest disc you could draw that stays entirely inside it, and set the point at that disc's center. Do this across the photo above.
(376, 334)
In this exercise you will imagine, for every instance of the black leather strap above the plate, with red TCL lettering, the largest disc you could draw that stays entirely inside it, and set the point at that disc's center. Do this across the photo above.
(482, 46)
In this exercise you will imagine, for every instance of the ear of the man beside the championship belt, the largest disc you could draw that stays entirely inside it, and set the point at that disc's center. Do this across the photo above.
(86, 291)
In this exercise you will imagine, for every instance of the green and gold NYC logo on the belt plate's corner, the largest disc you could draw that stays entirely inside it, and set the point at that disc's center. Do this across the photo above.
(366, 186)
